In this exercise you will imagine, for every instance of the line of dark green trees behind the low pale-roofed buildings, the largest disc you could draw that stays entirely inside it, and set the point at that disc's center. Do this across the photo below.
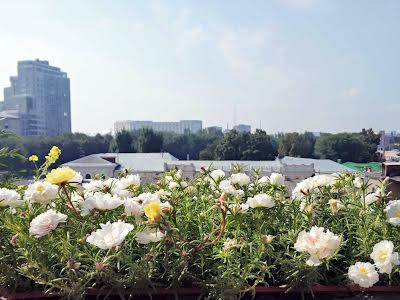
(208, 144)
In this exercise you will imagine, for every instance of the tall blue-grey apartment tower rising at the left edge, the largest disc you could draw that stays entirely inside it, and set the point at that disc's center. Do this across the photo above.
(40, 93)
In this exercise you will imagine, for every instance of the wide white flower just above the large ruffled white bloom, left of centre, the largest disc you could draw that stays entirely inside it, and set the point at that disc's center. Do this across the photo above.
(100, 201)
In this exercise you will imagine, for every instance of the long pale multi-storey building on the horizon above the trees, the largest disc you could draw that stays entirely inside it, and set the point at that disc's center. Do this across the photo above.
(177, 127)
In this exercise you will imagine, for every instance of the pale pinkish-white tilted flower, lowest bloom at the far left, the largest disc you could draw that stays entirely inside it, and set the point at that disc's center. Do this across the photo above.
(46, 222)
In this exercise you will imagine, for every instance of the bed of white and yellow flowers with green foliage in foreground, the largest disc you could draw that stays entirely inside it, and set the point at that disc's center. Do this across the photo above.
(225, 236)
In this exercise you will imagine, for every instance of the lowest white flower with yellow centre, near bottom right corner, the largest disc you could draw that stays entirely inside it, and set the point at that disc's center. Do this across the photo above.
(363, 274)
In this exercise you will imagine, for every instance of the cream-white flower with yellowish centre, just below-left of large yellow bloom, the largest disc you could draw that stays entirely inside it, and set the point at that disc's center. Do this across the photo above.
(41, 192)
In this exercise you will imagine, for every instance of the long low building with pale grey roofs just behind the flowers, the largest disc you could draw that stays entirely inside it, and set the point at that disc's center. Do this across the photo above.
(151, 166)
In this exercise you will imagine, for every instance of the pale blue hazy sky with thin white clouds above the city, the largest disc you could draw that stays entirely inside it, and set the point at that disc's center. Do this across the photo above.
(278, 65)
